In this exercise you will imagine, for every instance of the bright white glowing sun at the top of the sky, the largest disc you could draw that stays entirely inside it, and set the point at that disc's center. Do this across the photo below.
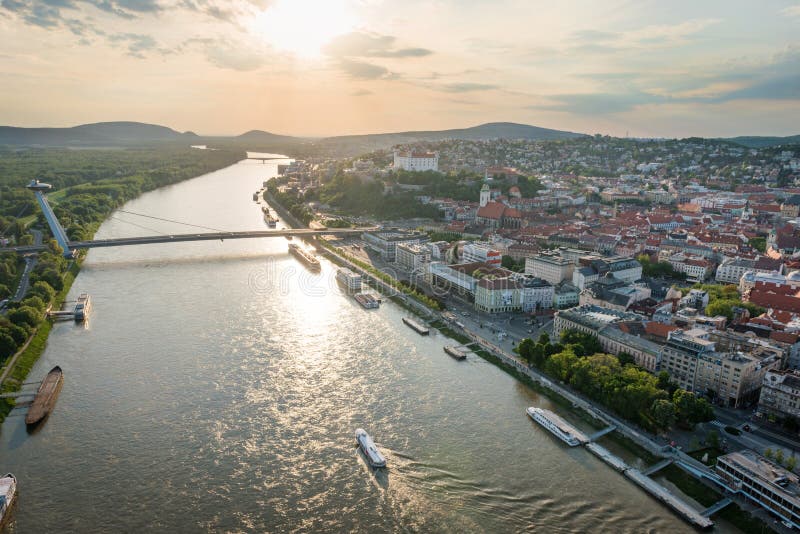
(304, 27)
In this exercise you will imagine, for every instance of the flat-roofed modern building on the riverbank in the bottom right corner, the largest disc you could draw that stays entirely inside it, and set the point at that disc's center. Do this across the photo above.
(763, 482)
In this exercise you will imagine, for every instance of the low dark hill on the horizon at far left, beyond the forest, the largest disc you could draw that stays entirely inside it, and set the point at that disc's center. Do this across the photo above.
(96, 134)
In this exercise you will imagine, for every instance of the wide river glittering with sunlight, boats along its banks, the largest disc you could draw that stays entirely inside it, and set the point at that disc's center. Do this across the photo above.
(217, 387)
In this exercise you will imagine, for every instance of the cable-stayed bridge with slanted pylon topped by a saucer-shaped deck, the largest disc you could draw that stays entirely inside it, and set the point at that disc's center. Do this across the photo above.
(70, 247)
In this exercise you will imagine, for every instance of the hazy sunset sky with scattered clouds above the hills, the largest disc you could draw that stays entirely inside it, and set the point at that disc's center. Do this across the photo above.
(332, 67)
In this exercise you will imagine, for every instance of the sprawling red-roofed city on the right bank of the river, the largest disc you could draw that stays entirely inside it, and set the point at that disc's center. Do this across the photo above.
(679, 257)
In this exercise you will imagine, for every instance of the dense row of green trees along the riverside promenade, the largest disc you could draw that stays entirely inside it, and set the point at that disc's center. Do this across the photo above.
(615, 381)
